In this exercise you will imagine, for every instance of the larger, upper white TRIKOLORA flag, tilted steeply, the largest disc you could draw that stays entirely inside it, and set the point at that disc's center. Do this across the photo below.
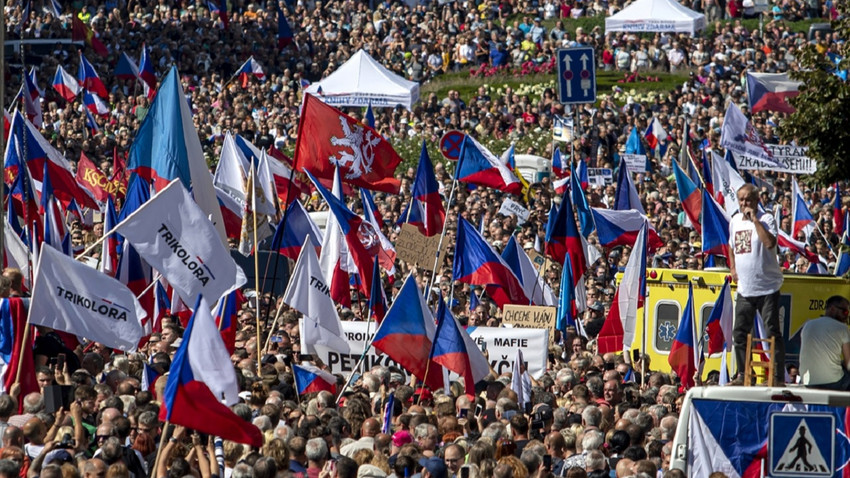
(175, 237)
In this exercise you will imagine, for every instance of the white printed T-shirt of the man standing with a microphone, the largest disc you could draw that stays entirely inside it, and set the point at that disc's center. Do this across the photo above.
(758, 270)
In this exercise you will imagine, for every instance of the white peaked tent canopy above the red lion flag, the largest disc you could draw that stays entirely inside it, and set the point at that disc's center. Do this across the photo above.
(362, 80)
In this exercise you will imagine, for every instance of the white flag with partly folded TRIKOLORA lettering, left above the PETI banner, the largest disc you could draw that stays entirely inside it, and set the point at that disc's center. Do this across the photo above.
(309, 293)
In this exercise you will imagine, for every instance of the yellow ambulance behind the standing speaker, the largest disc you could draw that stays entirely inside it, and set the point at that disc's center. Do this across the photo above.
(802, 298)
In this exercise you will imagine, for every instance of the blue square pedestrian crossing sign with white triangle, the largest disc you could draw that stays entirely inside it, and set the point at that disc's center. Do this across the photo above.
(801, 444)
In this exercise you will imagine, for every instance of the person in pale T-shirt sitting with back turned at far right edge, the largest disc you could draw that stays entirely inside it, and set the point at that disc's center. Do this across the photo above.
(825, 347)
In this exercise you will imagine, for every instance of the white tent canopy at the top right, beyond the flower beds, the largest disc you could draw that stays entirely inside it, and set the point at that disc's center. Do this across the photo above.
(655, 16)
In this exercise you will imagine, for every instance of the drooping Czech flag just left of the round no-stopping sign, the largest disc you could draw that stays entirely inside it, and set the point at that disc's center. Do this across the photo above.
(426, 210)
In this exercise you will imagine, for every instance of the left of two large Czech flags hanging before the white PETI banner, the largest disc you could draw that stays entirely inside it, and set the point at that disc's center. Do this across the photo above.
(407, 332)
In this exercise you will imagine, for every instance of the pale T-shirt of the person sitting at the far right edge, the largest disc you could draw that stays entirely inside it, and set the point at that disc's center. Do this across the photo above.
(820, 353)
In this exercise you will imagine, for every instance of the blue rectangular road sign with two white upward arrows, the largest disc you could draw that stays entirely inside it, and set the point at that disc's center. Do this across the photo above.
(577, 75)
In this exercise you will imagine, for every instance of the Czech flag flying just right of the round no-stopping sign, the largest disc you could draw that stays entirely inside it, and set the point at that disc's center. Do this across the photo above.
(479, 166)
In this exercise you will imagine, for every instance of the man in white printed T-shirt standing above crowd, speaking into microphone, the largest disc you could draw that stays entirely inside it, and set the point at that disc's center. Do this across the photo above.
(752, 261)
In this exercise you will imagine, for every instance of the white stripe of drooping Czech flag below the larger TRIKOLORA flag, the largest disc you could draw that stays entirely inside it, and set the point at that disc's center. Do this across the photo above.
(208, 356)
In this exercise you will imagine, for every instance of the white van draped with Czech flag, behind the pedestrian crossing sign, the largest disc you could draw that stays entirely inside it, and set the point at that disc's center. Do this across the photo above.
(763, 431)
